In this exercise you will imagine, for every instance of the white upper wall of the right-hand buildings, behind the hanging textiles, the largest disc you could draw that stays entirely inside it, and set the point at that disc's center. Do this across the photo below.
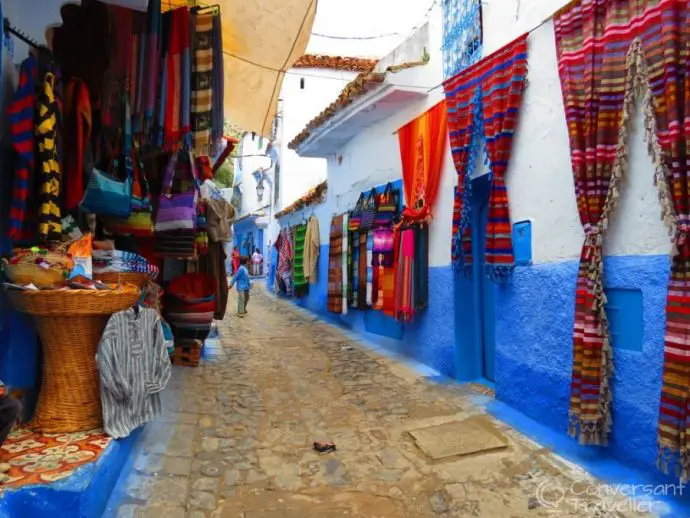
(540, 182)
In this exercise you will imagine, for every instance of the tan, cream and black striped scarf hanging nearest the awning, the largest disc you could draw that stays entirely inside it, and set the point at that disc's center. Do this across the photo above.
(202, 93)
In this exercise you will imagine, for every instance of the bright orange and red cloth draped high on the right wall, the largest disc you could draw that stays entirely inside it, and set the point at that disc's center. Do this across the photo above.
(422, 150)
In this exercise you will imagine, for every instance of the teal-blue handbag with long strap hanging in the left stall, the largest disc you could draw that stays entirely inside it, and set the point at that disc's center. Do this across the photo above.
(106, 194)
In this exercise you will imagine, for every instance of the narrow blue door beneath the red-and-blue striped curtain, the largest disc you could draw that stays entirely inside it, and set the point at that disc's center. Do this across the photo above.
(483, 288)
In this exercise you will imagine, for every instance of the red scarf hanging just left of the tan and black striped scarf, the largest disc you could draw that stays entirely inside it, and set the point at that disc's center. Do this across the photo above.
(178, 80)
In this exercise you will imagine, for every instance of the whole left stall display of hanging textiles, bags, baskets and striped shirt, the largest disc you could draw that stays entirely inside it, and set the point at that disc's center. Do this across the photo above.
(107, 130)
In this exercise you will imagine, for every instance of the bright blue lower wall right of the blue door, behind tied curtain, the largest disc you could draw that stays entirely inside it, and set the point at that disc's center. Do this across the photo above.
(534, 323)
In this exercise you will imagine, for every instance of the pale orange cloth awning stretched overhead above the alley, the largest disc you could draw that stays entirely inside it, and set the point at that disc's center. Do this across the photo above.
(261, 41)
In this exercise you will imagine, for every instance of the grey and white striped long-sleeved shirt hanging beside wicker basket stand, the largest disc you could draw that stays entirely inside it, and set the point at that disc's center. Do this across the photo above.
(134, 368)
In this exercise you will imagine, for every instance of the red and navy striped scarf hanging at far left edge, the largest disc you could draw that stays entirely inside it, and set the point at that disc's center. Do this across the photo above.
(21, 119)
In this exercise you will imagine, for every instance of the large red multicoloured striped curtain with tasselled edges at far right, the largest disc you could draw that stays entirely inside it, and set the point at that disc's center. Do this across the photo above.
(635, 49)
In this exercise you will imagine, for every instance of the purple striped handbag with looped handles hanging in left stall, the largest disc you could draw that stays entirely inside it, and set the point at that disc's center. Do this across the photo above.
(177, 211)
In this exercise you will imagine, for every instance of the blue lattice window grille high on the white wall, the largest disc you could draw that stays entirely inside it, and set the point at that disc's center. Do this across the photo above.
(462, 35)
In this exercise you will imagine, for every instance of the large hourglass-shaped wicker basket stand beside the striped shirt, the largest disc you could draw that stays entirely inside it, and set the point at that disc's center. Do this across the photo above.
(70, 324)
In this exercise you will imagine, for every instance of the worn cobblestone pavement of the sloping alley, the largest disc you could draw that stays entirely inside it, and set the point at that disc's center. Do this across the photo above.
(236, 439)
